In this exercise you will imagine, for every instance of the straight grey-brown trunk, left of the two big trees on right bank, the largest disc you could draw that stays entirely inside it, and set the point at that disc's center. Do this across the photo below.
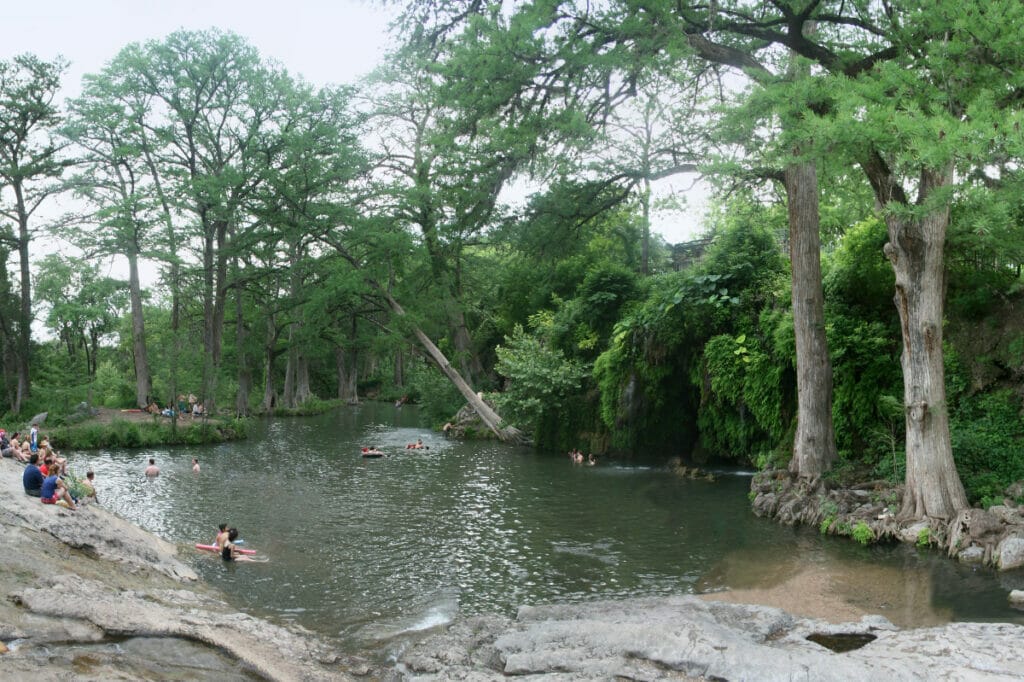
(815, 444)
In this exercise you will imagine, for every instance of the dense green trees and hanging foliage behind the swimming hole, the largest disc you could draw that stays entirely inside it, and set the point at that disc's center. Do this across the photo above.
(325, 244)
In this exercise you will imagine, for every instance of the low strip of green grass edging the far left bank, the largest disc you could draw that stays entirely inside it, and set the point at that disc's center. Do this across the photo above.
(124, 434)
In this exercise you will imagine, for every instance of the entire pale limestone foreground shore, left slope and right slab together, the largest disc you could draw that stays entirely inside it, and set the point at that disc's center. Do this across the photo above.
(90, 596)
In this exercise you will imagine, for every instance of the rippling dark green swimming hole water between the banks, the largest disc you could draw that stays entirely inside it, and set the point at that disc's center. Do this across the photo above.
(371, 550)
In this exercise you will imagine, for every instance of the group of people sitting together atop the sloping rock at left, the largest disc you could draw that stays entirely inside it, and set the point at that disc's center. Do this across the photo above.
(46, 472)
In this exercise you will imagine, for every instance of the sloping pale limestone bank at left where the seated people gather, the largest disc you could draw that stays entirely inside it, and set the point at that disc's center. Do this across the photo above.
(90, 596)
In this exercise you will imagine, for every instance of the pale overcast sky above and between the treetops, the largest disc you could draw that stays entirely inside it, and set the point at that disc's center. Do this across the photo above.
(325, 41)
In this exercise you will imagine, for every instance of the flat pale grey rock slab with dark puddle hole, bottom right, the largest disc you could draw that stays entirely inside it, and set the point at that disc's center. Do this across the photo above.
(681, 638)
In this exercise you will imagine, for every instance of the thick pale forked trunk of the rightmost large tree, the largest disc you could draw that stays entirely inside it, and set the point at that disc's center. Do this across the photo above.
(916, 251)
